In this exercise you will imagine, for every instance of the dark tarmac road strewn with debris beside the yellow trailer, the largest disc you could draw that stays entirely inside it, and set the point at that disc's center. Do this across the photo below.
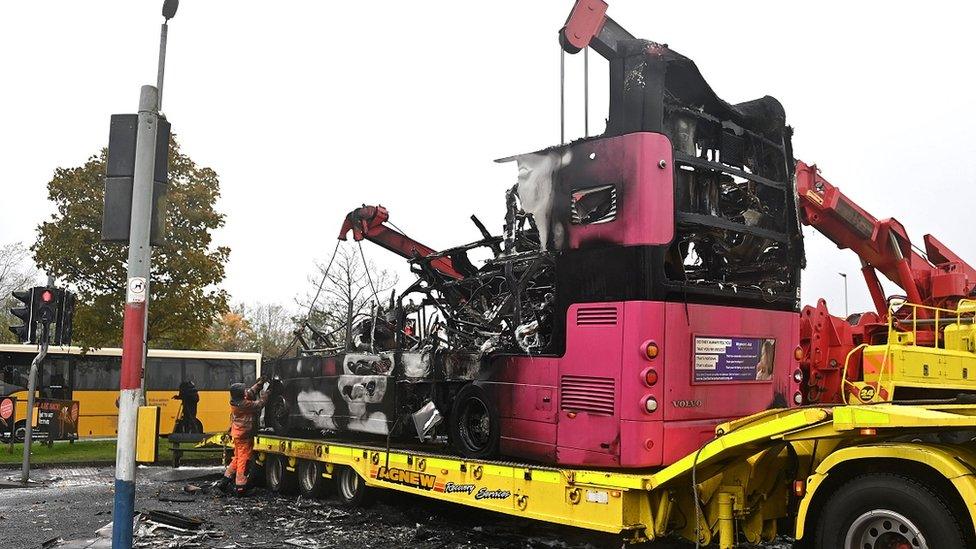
(75, 502)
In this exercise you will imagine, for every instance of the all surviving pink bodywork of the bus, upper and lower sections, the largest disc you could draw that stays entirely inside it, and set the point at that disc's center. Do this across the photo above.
(589, 407)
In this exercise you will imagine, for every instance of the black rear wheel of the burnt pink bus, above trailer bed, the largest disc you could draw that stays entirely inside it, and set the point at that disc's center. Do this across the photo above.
(473, 425)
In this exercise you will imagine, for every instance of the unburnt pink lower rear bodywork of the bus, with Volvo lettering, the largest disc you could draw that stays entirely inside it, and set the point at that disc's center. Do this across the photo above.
(587, 407)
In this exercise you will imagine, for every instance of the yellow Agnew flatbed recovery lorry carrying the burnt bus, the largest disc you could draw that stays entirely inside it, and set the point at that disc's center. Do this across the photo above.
(858, 476)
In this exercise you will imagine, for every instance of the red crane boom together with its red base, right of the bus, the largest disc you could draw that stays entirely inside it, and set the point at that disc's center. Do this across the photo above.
(936, 278)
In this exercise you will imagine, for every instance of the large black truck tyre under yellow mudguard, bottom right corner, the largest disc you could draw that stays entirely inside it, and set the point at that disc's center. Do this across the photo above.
(887, 510)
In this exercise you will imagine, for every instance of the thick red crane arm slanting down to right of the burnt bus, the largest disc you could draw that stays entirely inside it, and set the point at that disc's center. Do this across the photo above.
(882, 245)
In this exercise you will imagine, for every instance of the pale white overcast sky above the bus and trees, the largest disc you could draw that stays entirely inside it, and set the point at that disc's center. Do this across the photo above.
(309, 109)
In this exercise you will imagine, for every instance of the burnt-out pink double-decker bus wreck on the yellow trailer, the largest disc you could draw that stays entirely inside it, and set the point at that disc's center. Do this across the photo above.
(685, 199)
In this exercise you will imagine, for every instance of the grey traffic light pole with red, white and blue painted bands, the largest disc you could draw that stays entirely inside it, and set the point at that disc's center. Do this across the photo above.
(135, 318)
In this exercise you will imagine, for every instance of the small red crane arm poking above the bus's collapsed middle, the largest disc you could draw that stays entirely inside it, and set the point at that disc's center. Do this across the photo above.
(367, 223)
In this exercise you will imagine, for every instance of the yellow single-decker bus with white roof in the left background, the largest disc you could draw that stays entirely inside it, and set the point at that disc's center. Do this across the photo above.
(92, 379)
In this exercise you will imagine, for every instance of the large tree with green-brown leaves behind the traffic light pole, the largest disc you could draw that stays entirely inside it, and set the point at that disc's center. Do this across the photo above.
(186, 271)
